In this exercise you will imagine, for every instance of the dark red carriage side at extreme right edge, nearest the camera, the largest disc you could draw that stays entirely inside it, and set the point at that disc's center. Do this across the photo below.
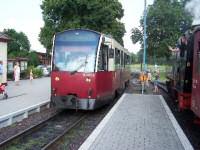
(196, 76)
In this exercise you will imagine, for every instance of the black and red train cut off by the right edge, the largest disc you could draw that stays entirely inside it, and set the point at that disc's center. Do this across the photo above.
(184, 81)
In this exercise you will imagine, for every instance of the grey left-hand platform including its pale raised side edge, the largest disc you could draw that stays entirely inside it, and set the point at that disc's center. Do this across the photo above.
(23, 99)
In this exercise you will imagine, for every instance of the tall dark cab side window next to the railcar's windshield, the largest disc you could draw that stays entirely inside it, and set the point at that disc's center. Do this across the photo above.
(103, 58)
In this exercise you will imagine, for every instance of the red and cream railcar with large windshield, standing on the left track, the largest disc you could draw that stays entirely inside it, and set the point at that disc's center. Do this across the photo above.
(88, 68)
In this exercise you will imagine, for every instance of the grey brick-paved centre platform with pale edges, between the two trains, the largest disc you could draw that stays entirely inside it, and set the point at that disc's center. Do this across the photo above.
(138, 122)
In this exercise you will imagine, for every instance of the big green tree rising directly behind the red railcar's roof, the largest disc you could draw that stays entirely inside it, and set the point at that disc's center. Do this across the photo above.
(99, 15)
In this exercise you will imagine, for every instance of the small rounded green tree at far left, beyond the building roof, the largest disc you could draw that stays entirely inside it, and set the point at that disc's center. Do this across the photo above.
(19, 43)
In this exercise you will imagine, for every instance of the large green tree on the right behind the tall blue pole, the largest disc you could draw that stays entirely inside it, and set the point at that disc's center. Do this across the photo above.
(166, 21)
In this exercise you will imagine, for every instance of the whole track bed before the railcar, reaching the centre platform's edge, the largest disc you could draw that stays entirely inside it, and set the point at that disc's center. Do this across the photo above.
(52, 133)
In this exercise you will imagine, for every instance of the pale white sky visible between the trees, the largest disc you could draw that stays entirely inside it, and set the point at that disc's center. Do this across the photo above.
(26, 16)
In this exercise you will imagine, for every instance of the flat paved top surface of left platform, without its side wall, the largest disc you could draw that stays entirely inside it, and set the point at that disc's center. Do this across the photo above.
(25, 95)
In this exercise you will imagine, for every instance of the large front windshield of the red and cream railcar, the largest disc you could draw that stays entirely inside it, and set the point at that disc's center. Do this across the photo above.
(75, 50)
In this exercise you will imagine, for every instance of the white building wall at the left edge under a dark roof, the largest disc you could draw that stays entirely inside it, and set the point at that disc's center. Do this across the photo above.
(3, 58)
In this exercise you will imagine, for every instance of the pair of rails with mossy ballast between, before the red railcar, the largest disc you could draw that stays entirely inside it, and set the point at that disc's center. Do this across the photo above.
(44, 134)
